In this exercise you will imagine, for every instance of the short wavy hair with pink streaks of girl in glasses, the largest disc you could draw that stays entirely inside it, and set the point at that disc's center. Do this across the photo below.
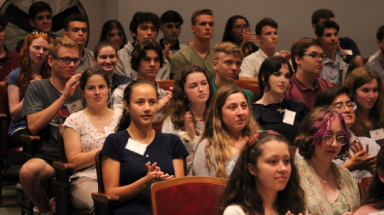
(313, 130)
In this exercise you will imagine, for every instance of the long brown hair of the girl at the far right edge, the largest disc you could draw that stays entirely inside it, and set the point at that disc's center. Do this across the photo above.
(355, 80)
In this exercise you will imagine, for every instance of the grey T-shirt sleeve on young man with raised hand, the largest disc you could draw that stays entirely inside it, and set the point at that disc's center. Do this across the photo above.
(33, 102)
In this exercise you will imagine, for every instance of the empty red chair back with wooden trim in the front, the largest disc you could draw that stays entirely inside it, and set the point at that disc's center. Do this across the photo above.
(187, 195)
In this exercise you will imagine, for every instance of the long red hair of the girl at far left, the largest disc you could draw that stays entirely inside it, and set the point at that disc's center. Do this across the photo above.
(25, 75)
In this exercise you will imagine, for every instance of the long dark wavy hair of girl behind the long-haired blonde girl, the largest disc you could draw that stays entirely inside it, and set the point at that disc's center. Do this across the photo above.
(179, 103)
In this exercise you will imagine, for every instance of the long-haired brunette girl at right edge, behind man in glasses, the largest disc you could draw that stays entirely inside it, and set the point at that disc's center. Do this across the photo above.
(365, 88)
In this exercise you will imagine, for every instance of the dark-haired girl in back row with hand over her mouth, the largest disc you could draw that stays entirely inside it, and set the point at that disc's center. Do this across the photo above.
(237, 31)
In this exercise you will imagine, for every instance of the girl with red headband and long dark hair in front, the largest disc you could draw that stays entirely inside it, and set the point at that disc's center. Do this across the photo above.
(265, 179)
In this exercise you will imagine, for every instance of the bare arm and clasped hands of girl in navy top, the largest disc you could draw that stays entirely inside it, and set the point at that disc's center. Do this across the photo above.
(111, 177)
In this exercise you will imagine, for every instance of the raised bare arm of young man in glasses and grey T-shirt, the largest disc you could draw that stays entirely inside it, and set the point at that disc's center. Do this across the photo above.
(40, 120)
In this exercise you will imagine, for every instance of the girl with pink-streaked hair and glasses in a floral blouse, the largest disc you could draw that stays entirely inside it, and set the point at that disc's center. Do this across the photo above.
(330, 189)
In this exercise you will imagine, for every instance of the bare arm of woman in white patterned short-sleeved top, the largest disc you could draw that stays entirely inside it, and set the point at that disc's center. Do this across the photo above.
(74, 152)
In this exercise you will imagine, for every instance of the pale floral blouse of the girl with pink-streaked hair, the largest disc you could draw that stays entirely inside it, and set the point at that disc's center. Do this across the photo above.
(347, 201)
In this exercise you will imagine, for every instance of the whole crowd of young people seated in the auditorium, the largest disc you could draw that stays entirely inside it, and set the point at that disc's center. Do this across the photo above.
(316, 97)
